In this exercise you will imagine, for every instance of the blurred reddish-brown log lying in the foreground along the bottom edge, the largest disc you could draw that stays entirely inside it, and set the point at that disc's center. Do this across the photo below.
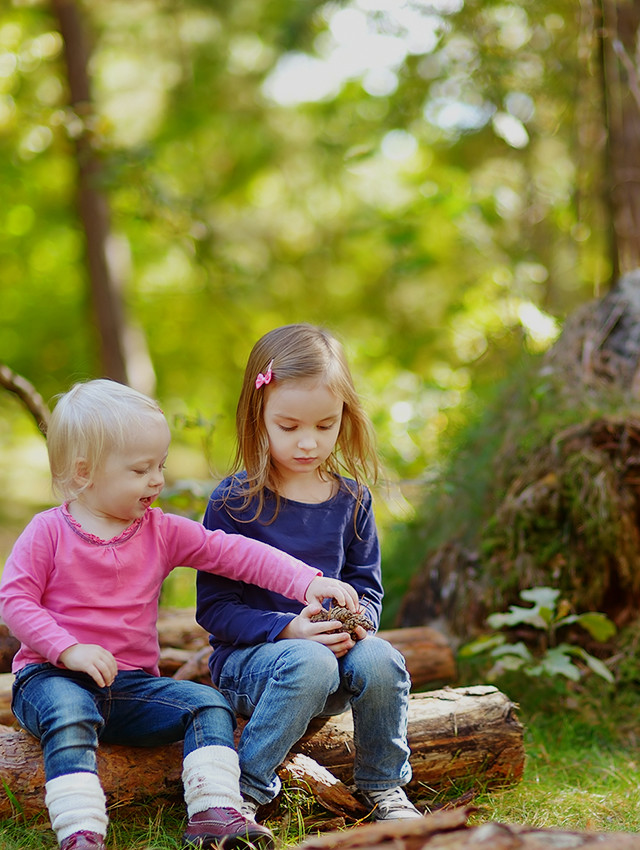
(450, 830)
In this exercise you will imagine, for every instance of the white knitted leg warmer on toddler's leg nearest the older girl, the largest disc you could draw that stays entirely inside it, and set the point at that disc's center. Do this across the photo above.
(211, 778)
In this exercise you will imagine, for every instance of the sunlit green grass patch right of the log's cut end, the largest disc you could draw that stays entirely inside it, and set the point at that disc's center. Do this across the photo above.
(582, 769)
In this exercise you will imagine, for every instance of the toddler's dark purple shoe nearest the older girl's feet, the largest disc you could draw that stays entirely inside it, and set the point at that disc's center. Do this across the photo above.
(224, 829)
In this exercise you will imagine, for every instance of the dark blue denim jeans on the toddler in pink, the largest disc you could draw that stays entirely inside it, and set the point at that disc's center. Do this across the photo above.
(69, 713)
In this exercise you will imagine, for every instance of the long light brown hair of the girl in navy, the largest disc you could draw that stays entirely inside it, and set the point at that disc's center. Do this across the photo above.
(296, 352)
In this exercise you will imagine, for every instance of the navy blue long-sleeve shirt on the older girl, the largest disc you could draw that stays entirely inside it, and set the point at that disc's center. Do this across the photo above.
(323, 535)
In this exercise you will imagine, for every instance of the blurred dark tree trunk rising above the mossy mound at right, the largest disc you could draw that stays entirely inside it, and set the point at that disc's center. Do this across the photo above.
(619, 32)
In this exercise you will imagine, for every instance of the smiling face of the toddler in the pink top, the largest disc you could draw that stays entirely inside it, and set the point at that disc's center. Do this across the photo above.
(128, 480)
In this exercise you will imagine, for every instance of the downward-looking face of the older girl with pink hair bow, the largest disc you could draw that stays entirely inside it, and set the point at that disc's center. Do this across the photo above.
(302, 418)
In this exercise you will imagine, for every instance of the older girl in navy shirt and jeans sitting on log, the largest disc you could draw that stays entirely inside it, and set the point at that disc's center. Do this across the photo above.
(300, 425)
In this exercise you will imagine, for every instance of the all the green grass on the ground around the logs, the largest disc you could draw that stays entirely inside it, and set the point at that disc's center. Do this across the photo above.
(582, 772)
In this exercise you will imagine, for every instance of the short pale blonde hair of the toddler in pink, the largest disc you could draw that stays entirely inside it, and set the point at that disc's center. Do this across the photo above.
(90, 420)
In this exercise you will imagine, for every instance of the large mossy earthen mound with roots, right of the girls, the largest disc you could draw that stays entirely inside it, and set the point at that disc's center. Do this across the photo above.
(563, 492)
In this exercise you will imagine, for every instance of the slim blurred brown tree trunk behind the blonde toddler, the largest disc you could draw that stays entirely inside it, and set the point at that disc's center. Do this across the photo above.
(123, 354)
